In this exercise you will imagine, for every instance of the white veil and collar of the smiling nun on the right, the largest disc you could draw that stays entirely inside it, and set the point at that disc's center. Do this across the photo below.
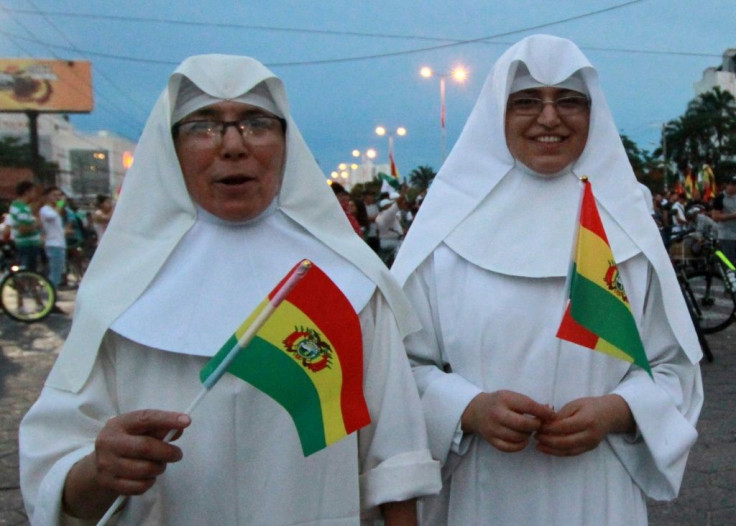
(461, 200)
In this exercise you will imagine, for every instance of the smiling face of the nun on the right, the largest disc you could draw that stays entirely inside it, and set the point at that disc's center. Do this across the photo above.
(553, 138)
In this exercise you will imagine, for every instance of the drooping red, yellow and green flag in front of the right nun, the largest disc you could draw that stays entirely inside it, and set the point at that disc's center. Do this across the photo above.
(598, 315)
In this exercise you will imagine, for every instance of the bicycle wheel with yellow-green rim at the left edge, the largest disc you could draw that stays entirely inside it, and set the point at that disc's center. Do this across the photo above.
(27, 296)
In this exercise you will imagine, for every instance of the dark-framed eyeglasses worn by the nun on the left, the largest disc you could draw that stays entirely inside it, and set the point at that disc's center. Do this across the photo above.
(256, 129)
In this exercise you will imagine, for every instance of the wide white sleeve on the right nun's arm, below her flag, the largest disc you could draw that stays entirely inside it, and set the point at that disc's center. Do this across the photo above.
(665, 410)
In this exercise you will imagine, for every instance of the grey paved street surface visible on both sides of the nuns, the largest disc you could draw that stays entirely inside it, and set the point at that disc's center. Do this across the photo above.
(707, 498)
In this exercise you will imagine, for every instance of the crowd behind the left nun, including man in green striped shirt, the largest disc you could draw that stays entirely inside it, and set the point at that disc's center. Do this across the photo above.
(47, 229)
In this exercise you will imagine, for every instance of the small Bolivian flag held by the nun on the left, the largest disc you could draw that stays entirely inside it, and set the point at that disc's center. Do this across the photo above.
(307, 356)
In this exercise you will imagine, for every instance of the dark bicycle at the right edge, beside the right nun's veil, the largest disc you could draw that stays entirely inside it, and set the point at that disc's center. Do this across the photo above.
(712, 279)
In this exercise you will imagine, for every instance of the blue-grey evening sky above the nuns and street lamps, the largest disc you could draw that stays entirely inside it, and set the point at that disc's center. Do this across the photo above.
(349, 66)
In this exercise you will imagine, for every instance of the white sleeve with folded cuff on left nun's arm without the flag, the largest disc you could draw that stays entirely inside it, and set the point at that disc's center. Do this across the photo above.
(396, 464)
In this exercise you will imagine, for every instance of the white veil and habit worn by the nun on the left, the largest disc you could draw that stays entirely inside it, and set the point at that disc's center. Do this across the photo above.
(176, 278)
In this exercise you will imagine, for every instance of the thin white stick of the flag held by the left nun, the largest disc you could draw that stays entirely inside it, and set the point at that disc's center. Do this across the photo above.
(215, 375)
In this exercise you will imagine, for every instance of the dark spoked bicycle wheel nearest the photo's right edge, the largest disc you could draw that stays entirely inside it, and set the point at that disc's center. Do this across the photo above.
(714, 300)
